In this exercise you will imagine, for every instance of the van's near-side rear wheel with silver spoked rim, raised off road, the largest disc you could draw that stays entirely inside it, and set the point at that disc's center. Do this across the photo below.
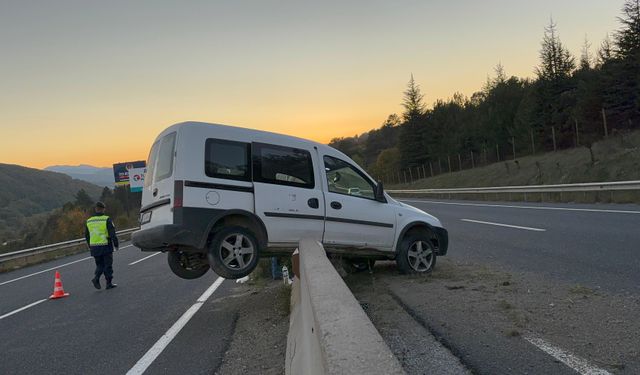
(224, 243)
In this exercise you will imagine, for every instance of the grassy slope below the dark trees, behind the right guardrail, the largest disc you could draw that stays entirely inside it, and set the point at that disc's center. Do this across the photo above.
(616, 159)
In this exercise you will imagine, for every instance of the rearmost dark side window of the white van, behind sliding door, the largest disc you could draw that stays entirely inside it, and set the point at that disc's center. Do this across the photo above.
(227, 159)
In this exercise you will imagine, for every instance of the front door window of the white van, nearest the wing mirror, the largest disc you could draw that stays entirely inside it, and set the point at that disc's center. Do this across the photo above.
(343, 178)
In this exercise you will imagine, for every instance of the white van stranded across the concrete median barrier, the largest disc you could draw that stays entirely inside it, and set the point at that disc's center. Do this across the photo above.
(221, 197)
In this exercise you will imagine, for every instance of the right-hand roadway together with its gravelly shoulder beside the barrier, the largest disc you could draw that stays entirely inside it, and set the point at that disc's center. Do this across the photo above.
(560, 246)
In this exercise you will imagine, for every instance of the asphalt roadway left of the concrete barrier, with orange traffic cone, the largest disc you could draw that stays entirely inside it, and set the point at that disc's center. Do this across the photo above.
(110, 331)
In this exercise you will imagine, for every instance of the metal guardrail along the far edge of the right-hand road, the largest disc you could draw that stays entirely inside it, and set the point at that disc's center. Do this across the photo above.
(558, 188)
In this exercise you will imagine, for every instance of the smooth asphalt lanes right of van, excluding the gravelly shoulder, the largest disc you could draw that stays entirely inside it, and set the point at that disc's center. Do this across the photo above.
(593, 245)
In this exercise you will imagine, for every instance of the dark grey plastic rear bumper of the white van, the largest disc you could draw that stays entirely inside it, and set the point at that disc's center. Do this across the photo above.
(162, 237)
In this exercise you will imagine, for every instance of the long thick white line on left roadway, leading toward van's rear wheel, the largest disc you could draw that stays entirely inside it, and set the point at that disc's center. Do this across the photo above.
(153, 353)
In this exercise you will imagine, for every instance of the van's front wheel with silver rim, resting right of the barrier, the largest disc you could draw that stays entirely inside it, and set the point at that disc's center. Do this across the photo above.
(416, 254)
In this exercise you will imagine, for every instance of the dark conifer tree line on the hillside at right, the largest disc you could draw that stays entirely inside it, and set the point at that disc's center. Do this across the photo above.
(572, 101)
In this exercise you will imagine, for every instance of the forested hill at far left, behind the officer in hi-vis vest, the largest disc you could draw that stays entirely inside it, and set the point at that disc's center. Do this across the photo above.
(27, 192)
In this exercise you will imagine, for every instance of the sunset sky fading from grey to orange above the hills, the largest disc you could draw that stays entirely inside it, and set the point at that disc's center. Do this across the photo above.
(95, 82)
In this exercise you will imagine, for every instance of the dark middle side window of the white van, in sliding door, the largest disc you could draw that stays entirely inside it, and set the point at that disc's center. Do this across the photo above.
(282, 166)
